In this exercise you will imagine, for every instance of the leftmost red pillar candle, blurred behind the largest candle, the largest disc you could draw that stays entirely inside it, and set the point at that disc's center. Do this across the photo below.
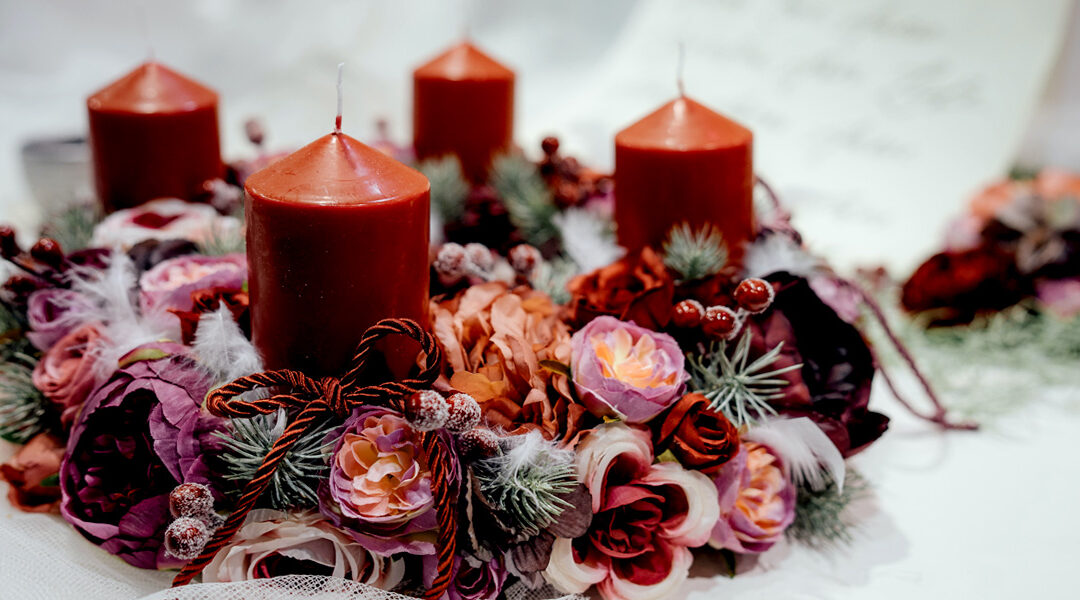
(153, 134)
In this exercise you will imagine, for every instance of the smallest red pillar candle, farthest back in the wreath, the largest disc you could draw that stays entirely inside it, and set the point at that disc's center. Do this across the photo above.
(464, 105)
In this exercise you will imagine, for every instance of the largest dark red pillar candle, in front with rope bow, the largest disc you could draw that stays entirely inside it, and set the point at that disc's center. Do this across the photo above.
(337, 240)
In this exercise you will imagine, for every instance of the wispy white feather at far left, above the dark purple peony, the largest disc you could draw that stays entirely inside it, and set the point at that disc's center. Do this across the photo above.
(113, 296)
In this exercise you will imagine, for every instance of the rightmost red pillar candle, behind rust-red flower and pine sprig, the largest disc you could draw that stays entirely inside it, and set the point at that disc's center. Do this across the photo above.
(687, 163)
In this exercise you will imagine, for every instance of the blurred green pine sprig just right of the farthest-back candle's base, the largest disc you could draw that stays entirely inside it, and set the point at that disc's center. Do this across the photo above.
(526, 197)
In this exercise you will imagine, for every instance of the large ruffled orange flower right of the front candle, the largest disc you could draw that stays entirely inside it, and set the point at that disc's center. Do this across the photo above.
(501, 347)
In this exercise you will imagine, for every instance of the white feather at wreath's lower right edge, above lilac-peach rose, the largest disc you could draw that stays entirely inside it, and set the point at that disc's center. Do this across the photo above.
(804, 448)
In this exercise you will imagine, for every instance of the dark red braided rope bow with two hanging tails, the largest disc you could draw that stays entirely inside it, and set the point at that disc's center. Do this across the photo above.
(318, 399)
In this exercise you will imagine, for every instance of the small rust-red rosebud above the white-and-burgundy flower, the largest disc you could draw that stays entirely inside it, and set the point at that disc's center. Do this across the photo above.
(701, 439)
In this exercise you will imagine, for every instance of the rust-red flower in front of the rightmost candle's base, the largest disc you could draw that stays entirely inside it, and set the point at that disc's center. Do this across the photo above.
(637, 288)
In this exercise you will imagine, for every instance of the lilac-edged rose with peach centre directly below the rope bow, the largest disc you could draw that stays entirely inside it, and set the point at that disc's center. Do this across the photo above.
(380, 488)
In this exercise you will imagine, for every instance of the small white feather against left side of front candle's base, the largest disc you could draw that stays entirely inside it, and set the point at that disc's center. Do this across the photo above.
(221, 348)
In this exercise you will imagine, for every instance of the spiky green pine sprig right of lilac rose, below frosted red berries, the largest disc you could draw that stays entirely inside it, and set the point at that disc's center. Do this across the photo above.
(737, 387)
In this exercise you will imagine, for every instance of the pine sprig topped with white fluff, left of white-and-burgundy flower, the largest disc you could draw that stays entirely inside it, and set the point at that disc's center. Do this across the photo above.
(528, 483)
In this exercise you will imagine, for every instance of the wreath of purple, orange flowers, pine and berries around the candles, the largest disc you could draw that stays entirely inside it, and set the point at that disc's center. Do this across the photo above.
(577, 417)
